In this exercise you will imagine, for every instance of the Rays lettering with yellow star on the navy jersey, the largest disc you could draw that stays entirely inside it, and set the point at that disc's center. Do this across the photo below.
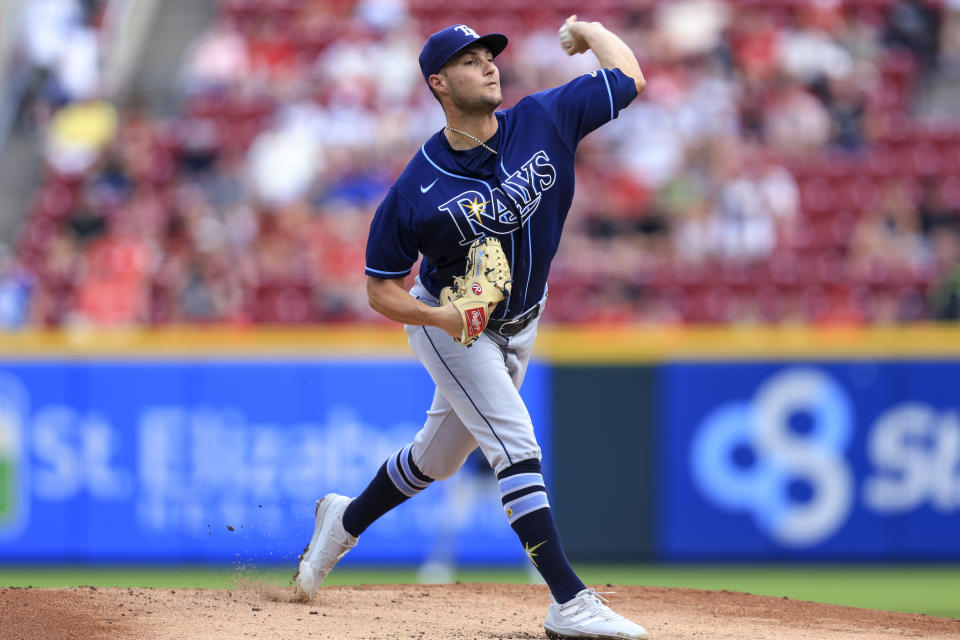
(522, 190)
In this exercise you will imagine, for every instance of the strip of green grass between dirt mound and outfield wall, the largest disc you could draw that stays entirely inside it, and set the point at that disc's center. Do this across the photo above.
(918, 589)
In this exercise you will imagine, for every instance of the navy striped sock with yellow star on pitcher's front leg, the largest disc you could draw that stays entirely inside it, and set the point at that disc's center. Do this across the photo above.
(524, 498)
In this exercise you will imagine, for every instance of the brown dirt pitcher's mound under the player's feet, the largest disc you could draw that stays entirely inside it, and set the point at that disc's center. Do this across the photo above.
(434, 612)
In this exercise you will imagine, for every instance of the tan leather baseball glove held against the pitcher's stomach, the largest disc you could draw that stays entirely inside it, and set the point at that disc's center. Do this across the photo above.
(486, 281)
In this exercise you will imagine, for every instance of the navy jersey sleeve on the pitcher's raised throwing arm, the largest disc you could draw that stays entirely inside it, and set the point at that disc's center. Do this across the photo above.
(585, 103)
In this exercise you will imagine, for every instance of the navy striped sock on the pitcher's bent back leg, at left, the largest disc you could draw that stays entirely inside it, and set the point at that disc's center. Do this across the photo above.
(397, 480)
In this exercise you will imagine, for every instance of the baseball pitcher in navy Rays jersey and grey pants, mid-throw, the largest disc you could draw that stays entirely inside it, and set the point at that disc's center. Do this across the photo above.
(484, 202)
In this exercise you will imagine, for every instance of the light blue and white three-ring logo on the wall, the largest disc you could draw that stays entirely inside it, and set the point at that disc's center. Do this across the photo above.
(781, 457)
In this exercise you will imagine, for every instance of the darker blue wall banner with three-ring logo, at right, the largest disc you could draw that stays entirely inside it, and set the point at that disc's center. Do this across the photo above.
(816, 461)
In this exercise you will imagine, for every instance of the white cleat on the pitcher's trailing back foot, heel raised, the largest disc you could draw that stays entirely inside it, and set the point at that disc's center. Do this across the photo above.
(329, 543)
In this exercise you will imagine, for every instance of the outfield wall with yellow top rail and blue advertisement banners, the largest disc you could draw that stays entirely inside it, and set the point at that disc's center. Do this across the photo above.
(210, 445)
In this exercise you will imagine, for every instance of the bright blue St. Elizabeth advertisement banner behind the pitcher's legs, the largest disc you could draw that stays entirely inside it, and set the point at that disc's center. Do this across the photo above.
(223, 461)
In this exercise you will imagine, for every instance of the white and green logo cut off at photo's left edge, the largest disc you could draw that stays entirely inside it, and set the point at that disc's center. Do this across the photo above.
(13, 505)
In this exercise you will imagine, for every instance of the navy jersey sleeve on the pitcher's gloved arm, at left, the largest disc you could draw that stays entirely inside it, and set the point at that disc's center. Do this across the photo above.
(392, 246)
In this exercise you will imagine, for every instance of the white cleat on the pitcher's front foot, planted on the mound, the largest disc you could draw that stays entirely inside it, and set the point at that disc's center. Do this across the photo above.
(587, 617)
